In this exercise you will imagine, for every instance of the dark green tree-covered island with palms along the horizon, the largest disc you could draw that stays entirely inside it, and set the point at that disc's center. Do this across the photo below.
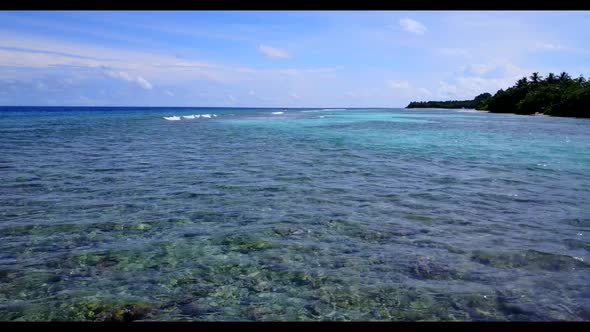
(556, 95)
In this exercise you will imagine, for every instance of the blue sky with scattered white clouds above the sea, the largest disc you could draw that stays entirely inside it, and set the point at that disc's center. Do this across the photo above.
(280, 58)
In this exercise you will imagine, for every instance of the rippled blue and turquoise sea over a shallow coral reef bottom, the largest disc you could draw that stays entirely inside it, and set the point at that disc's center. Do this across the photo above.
(369, 214)
